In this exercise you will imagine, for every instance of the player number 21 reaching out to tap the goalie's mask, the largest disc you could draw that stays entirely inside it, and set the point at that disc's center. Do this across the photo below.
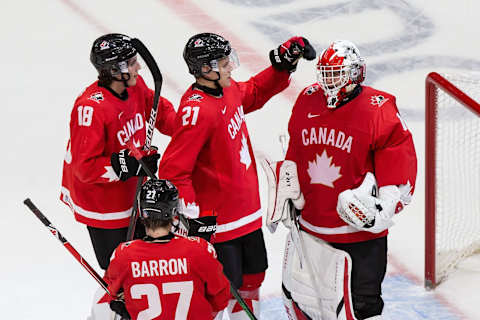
(210, 157)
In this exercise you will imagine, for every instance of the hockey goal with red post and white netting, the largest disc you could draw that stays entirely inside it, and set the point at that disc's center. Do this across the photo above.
(452, 173)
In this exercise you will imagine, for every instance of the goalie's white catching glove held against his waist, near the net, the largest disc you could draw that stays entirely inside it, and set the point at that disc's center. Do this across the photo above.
(368, 208)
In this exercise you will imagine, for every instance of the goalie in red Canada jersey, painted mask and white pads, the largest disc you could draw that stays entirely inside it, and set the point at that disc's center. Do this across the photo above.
(356, 169)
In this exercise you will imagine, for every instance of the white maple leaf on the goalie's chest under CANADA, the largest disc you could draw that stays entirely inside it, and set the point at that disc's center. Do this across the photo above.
(323, 171)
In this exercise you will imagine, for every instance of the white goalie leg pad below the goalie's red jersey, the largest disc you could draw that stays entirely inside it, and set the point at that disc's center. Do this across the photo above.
(330, 291)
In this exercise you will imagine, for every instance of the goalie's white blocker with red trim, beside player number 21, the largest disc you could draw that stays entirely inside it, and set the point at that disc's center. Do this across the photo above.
(283, 185)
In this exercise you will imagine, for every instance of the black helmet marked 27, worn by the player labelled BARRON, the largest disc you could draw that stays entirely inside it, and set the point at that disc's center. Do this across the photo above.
(158, 200)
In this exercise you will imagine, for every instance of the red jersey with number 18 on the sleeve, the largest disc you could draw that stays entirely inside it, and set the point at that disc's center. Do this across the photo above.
(100, 124)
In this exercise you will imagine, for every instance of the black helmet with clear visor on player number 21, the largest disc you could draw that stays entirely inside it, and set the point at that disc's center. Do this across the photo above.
(206, 49)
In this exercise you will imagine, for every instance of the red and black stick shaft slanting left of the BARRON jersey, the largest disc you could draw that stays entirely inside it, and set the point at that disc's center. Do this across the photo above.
(66, 244)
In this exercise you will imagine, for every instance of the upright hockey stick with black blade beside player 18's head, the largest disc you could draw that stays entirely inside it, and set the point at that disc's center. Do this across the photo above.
(158, 81)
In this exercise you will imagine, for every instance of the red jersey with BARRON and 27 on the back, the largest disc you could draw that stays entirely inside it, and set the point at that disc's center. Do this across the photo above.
(176, 279)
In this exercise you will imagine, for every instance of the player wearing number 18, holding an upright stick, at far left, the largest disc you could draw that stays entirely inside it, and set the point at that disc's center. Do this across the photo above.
(99, 175)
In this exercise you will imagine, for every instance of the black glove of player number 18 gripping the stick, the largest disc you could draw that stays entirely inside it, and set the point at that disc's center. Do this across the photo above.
(126, 166)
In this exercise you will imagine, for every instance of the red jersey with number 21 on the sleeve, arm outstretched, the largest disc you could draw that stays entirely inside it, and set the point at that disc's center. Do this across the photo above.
(210, 158)
